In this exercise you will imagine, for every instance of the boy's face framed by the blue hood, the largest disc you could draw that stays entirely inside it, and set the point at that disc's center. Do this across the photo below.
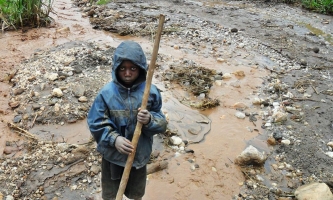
(127, 73)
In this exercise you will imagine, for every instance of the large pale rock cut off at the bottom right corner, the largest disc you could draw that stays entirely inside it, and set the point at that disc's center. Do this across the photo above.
(315, 191)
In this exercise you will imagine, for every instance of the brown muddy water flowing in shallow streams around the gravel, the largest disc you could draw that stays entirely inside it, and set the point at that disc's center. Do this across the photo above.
(217, 177)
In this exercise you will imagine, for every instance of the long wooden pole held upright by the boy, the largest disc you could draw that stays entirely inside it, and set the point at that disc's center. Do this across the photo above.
(137, 132)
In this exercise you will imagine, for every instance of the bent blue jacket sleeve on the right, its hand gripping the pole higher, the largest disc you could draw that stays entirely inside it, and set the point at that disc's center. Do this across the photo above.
(158, 123)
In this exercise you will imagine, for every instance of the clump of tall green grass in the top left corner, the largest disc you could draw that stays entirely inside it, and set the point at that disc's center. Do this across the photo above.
(14, 13)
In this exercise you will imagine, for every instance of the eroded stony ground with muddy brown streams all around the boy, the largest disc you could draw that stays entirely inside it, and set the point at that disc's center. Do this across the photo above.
(277, 53)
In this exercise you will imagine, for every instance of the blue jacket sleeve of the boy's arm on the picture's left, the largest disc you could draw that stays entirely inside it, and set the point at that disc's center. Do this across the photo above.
(100, 124)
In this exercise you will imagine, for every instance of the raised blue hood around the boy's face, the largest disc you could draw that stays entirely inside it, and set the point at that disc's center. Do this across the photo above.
(132, 51)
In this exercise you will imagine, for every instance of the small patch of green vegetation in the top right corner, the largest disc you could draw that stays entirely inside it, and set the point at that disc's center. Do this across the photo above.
(322, 6)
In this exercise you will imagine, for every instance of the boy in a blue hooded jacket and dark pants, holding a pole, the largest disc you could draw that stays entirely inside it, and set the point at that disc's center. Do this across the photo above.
(113, 116)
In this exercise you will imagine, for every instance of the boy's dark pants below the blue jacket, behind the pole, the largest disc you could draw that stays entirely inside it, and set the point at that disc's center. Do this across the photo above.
(136, 184)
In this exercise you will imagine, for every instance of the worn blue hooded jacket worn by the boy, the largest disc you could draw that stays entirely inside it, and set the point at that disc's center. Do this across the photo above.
(115, 108)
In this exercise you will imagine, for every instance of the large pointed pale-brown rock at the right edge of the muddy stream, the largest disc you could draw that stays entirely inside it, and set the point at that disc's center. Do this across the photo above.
(250, 155)
